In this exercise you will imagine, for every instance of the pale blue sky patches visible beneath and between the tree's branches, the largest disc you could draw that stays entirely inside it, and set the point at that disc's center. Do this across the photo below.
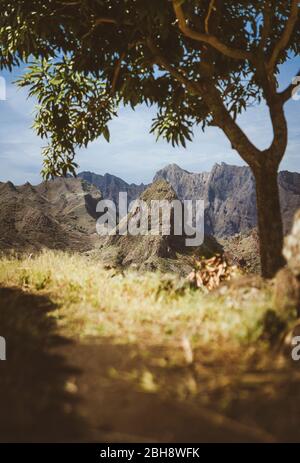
(133, 153)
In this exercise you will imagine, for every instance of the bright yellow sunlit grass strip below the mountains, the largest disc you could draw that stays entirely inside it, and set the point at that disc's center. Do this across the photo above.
(149, 308)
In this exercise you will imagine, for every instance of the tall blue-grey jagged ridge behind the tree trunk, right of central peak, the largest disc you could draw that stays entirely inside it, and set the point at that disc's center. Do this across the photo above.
(229, 195)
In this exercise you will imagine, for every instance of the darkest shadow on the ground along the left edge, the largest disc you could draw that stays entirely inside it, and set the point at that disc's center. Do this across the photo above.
(35, 405)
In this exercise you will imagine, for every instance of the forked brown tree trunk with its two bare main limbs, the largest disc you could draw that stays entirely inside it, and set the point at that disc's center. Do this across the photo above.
(264, 165)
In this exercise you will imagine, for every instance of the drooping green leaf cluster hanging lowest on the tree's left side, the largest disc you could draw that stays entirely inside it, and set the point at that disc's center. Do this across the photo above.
(72, 110)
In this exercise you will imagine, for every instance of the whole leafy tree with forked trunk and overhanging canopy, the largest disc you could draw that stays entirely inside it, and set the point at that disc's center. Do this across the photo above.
(199, 61)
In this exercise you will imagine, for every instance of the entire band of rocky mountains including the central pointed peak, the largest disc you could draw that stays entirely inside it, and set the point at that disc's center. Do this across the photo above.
(61, 214)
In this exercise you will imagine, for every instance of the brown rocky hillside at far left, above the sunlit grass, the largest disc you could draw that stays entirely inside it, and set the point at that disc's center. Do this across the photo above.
(58, 214)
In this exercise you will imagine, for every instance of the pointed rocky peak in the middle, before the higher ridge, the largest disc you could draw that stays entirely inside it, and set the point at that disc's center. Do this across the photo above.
(148, 252)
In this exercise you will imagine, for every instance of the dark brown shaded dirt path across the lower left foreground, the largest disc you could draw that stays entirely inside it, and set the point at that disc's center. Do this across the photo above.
(59, 390)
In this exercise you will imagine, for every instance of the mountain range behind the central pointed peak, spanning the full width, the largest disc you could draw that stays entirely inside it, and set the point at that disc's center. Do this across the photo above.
(61, 213)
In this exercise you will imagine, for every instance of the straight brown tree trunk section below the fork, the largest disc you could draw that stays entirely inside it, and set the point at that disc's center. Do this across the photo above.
(269, 220)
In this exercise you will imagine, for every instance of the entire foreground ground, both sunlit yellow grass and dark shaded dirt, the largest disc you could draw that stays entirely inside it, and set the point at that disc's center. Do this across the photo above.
(95, 354)
